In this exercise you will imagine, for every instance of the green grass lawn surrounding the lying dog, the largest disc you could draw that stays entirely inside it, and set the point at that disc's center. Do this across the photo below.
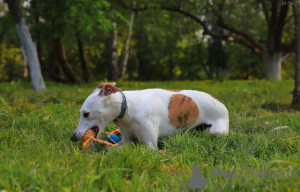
(36, 153)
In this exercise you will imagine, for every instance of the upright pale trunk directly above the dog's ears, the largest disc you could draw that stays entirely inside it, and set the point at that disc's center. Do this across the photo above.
(113, 55)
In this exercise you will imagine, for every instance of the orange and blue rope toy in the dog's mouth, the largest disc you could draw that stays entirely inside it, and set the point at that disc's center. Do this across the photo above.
(89, 139)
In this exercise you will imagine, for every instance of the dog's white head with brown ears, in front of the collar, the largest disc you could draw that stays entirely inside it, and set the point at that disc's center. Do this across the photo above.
(97, 111)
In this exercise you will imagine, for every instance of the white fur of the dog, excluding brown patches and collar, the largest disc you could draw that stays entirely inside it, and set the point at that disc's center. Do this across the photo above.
(146, 115)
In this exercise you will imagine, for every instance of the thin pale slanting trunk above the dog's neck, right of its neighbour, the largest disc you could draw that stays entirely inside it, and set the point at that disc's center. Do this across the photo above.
(125, 51)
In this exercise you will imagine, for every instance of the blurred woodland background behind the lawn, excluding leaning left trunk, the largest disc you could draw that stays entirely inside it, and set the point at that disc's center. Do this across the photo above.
(143, 40)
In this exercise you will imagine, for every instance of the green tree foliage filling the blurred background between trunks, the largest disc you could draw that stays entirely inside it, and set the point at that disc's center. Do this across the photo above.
(165, 45)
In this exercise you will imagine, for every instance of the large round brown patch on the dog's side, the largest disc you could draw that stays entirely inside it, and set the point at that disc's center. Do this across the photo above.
(183, 111)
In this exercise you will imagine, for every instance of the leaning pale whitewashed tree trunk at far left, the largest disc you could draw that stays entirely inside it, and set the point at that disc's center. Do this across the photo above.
(37, 80)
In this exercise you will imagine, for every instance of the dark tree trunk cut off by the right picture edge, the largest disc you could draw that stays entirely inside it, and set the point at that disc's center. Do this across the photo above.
(296, 93)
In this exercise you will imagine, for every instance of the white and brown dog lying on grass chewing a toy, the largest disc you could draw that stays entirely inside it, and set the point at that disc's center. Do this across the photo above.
(150, 114)
